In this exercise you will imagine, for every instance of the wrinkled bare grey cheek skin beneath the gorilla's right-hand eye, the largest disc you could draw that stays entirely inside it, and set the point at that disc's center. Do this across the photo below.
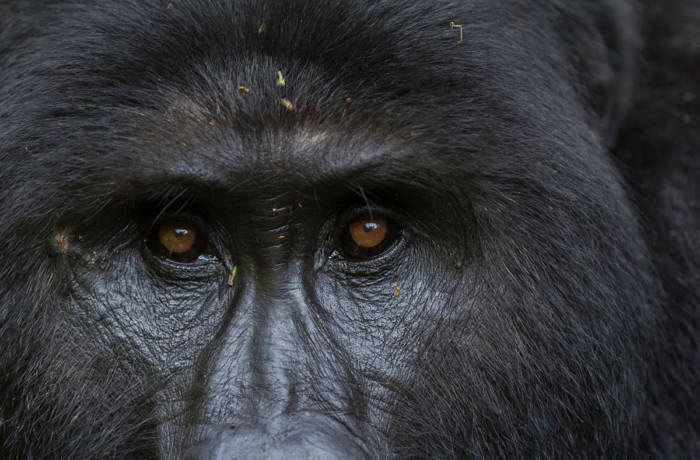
(383, 318)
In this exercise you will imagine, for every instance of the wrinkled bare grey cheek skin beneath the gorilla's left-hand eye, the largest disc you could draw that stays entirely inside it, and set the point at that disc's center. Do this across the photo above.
(121, 299)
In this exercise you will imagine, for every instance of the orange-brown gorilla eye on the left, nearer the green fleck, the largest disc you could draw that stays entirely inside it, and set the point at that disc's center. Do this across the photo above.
(178, 241)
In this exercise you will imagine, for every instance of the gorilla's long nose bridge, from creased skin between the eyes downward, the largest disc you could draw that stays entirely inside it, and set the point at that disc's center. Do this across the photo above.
(259, 357)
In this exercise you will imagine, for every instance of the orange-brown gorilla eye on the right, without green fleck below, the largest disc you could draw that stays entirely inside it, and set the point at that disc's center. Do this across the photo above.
(368, 237)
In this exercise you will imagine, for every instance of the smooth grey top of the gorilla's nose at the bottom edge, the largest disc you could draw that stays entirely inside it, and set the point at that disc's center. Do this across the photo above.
(288, 437)
